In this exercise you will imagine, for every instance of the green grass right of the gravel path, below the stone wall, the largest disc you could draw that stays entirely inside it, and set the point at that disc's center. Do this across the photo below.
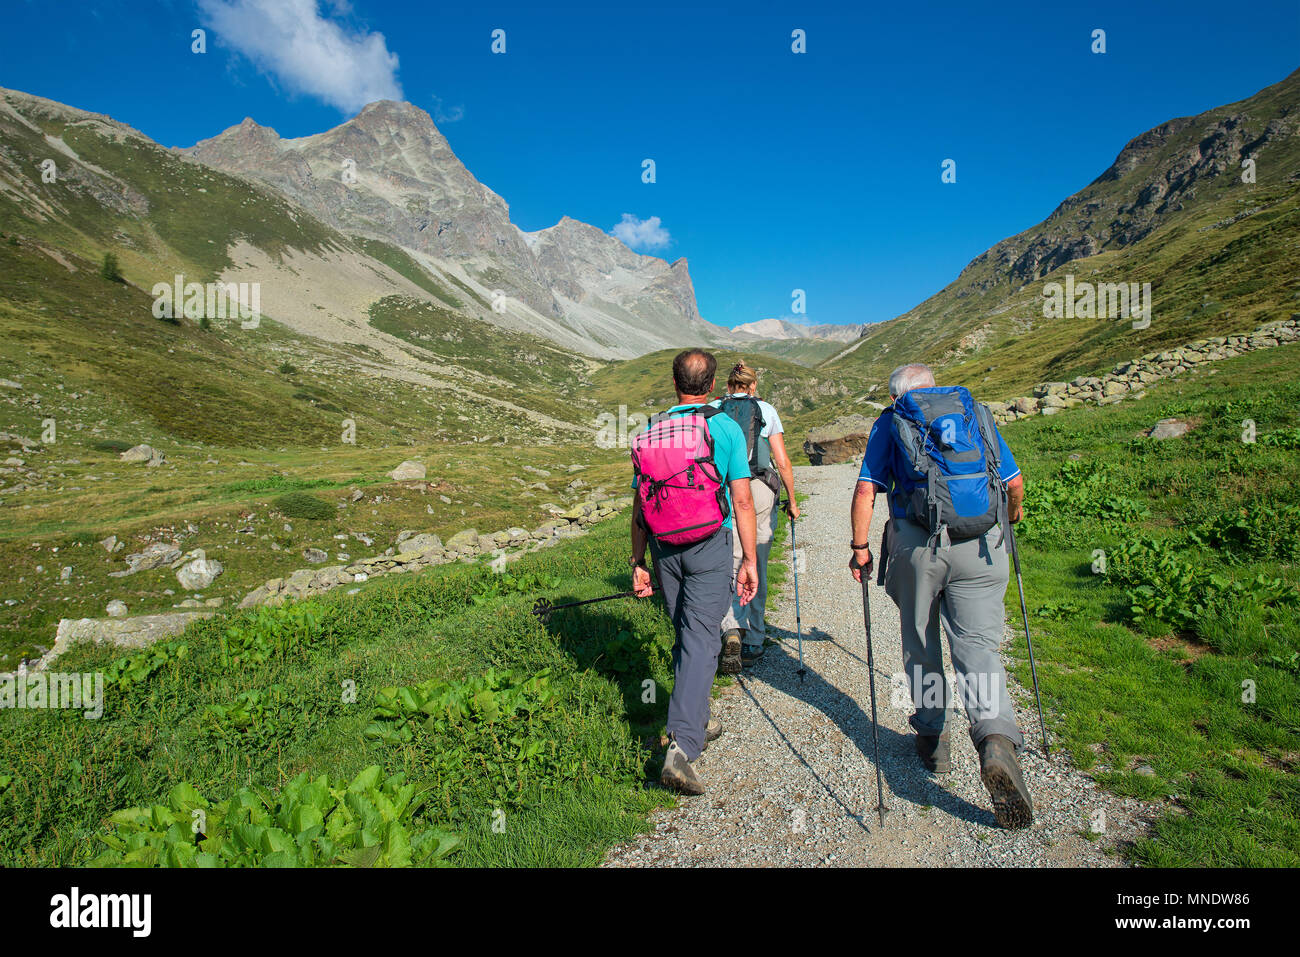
(1155, 661)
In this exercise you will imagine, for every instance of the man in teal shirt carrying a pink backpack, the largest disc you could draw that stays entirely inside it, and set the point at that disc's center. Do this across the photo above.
(692, 483)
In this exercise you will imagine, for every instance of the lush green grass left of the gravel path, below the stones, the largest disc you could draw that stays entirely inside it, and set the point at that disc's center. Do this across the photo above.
(172, 722)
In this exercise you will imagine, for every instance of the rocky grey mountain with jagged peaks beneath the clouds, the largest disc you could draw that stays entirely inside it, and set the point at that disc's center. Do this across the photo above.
(391, 175)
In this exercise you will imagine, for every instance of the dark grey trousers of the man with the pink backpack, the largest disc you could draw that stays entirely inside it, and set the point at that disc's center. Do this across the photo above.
(697, 587)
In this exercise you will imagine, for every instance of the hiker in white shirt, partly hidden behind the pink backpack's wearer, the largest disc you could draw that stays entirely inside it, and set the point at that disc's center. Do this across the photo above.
(744, 630)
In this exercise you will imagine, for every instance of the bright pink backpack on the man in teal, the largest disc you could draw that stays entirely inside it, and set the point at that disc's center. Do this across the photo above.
(683, 497)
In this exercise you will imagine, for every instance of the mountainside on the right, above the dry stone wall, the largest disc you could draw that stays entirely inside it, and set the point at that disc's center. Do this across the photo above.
(1210, 276)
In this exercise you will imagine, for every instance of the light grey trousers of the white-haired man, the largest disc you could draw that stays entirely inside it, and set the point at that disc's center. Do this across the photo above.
(963, 586)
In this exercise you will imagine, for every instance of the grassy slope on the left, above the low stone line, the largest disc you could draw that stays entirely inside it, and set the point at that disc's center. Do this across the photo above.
(226, 410)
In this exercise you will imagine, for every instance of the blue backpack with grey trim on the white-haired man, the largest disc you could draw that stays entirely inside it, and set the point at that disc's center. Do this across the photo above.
(952, 443)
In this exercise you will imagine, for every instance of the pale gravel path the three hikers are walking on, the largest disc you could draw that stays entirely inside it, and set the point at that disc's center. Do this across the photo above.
(792, 781)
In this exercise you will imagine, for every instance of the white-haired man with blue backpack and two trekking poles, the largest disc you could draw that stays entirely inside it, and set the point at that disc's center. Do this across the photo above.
(946, 560)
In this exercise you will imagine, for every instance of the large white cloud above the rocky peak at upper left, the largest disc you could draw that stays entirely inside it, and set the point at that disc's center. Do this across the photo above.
(306, 51)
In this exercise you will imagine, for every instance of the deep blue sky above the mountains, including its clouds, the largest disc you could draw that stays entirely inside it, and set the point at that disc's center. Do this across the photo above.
(774, 171)
